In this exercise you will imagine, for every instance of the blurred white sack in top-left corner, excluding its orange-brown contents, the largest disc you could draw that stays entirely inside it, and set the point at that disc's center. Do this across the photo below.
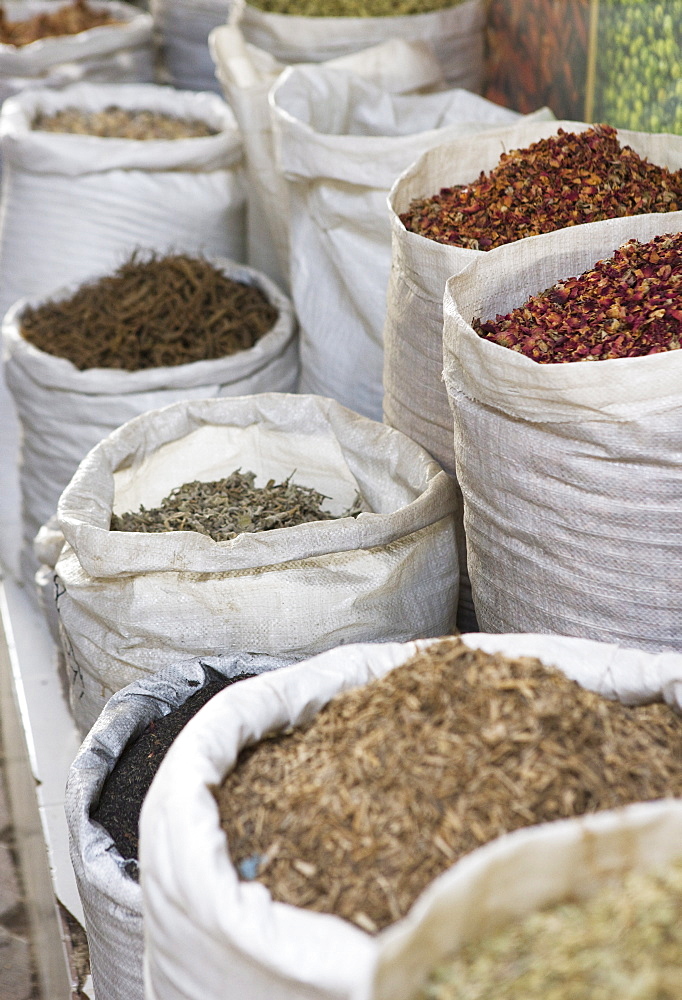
(116, 53)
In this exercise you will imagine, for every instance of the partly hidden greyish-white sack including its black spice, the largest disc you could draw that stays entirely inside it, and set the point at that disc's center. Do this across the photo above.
(107, 783)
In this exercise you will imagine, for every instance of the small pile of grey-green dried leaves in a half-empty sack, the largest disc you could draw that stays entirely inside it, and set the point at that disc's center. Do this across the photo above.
(225, 508)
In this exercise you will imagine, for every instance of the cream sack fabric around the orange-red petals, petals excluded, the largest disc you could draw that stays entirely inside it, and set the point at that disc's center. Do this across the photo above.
(415, 397)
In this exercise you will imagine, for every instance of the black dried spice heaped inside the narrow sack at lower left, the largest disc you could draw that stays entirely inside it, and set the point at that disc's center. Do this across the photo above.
(126, 785)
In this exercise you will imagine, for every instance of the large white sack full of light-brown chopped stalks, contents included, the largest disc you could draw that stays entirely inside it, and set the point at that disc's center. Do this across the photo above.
(301, 815)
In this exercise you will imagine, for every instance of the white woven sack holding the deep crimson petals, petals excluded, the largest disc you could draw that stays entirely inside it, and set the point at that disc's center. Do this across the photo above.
(570, 477)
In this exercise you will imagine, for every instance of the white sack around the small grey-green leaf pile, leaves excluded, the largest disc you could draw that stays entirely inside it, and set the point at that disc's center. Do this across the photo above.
(131, 600)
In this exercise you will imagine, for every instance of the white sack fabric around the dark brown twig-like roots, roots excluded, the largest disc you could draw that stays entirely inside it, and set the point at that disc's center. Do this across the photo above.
(64, 411)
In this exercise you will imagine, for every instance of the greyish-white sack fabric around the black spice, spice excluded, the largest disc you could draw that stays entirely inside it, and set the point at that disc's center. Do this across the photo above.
(111, 896)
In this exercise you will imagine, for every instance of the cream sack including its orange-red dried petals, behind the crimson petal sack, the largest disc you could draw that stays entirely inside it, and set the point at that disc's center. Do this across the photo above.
(498, 186)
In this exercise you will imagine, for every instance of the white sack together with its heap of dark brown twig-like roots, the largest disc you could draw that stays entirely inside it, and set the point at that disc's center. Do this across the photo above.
(157, 329)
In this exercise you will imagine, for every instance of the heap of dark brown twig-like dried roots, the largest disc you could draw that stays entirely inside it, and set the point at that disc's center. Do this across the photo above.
(160, 311)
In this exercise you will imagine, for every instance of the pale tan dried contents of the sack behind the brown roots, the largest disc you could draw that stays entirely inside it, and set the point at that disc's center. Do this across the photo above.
(122, 123)
